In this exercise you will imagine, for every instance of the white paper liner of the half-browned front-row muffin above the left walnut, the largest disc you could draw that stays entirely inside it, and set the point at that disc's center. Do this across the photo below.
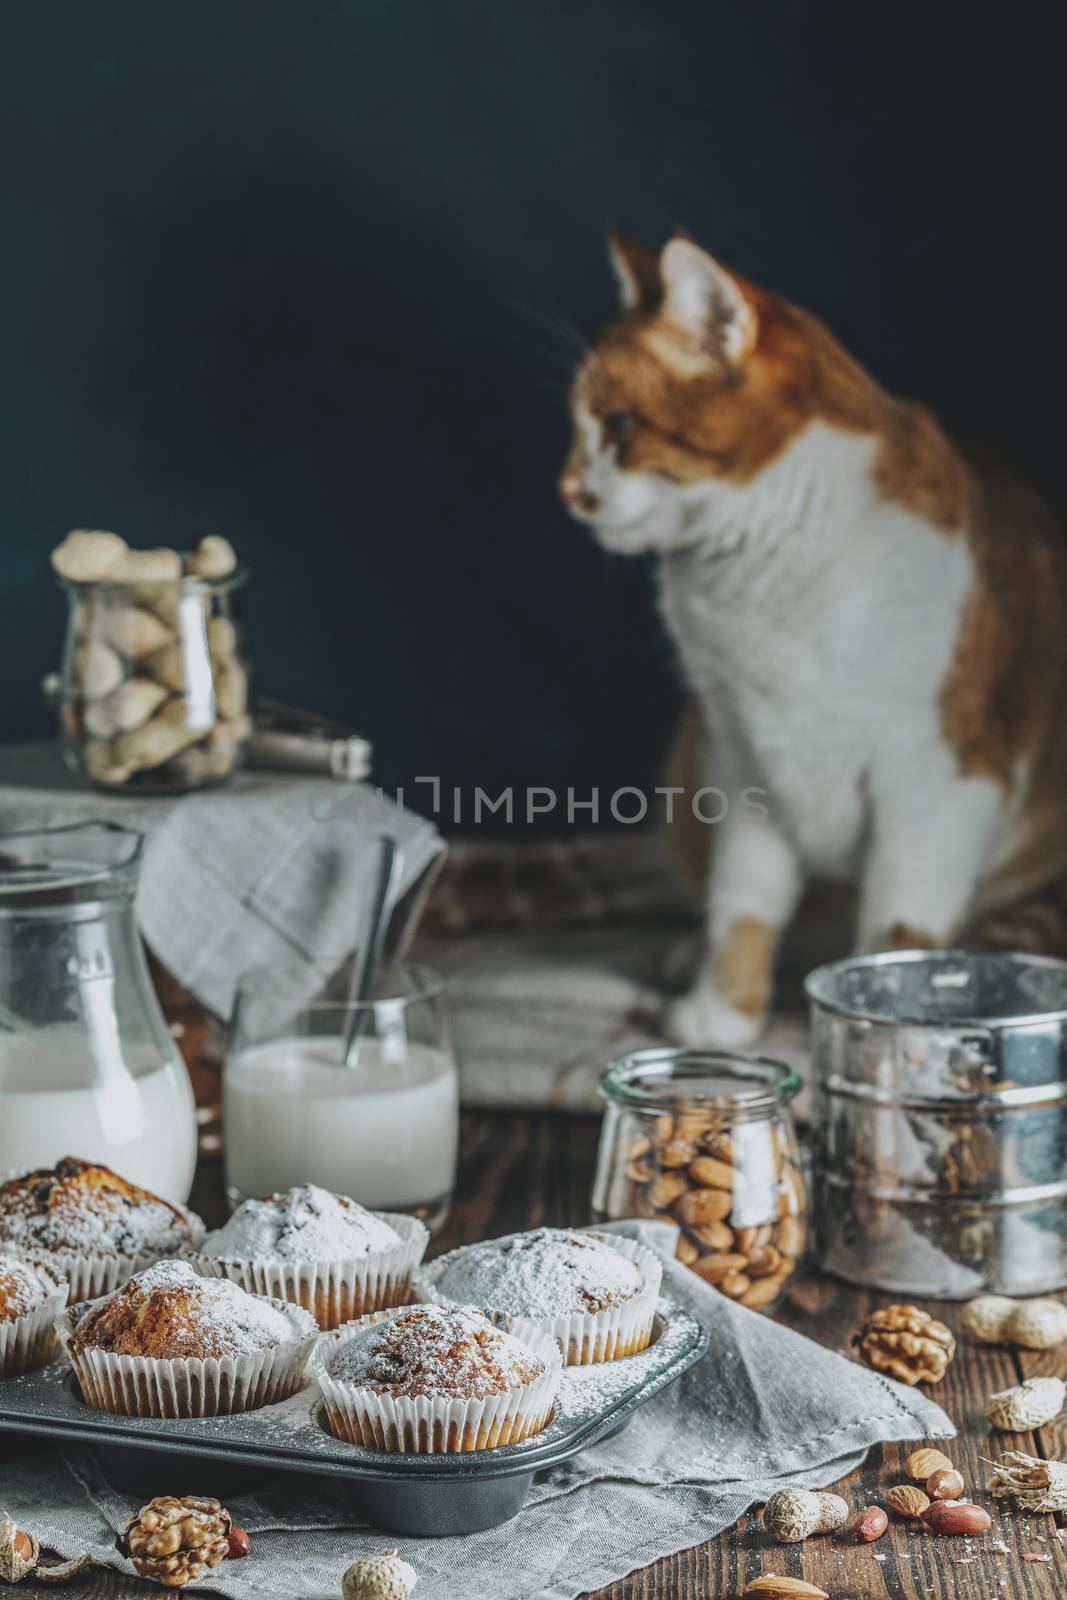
(215, 1386)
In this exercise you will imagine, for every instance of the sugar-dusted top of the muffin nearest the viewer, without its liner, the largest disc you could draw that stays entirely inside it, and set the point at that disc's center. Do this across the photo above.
(439, 1353)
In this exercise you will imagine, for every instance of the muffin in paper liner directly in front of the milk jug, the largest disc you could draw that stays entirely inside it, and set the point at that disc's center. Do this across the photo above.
(90, 1226)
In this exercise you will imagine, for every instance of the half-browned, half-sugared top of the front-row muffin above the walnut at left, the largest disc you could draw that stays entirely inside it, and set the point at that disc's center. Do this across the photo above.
(169, 1313)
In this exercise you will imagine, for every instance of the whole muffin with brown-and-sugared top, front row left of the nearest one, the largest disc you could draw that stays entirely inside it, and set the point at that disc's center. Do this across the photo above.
(170, 1343)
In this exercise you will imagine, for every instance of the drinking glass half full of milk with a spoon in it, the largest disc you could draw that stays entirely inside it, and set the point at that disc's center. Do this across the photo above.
(383, 1132)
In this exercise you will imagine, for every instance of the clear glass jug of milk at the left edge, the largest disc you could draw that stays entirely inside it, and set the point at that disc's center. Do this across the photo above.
(87, 1063)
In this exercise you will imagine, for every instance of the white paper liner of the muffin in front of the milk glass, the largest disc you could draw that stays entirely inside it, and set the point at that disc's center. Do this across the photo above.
(334, 1292)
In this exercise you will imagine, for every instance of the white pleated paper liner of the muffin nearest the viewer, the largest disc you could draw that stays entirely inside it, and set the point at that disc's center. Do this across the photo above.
(438, 1426)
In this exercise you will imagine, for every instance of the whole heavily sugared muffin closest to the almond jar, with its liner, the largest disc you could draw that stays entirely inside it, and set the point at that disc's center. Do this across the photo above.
(596, 1294)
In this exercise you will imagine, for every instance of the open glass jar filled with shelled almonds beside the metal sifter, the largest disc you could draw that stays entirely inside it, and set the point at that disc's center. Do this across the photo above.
(708, 1142)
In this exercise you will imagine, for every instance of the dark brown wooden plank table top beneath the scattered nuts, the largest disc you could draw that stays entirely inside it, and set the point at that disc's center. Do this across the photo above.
(530, 1170)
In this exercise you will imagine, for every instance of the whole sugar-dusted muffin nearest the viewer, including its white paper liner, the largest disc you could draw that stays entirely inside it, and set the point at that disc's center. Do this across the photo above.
(438, 1380)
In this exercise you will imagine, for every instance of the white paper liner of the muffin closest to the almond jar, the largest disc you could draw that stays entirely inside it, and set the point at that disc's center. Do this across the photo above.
(585, 1338)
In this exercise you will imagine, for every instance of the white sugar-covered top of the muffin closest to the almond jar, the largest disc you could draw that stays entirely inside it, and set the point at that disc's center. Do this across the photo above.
(548, 1273)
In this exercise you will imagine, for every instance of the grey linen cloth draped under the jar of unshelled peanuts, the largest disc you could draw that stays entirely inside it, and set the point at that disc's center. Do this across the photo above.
(268, 871)
